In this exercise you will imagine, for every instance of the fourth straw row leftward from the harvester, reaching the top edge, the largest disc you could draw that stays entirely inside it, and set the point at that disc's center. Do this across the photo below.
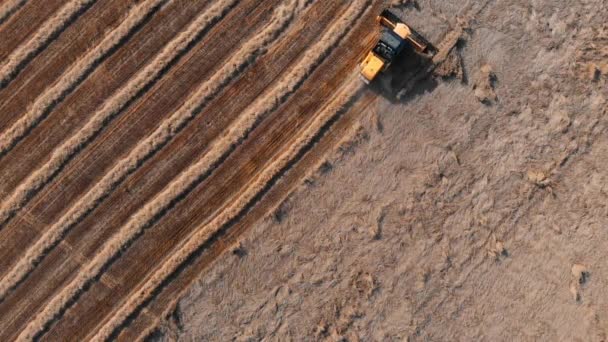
(110, 109)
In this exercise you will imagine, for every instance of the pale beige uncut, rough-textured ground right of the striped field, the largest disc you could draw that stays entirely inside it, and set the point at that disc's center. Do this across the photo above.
(473, 209)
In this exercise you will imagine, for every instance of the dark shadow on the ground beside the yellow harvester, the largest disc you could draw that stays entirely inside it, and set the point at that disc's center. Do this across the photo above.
(409, 76)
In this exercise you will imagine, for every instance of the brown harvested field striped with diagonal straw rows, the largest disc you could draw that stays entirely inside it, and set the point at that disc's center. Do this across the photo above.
(137, 133)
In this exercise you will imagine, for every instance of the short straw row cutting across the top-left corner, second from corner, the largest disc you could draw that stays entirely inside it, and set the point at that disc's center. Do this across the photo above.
(49, 31)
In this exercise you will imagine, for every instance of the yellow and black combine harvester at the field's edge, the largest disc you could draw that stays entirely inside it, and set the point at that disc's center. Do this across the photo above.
(394, 37)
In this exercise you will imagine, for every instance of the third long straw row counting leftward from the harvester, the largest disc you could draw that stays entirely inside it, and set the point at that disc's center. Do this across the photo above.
(150, 145)
